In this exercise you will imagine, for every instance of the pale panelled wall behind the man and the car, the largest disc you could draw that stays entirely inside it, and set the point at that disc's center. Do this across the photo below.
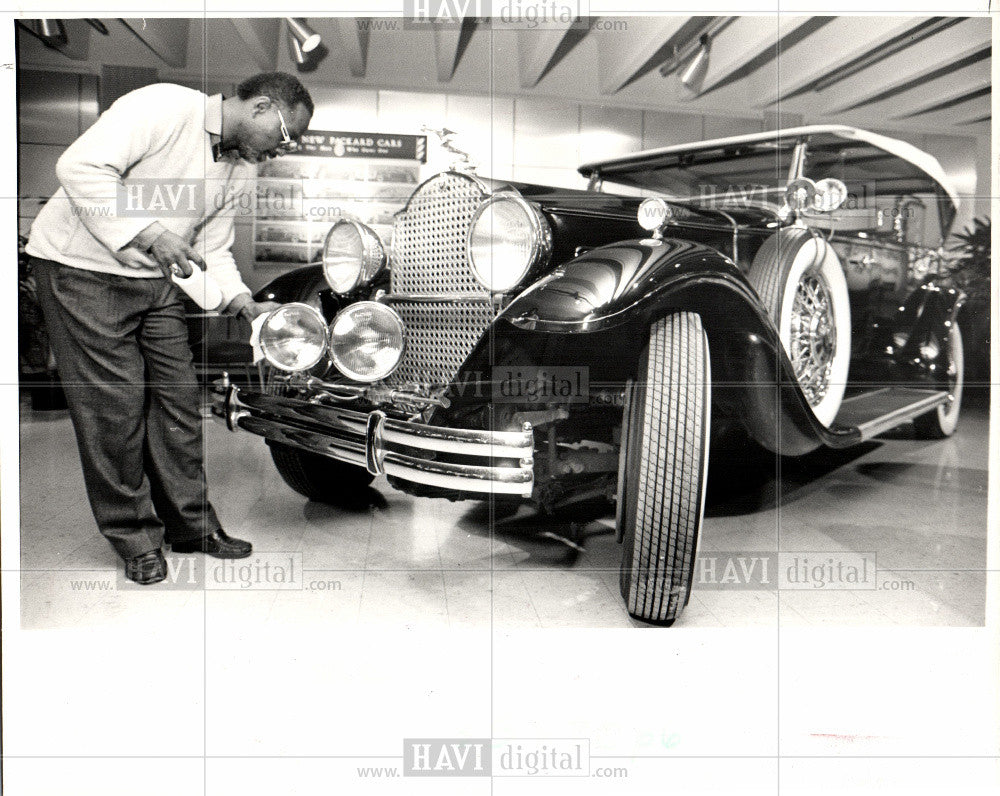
(528, 138)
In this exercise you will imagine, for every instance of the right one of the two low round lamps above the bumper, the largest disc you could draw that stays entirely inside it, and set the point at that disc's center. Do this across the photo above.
(367, 340)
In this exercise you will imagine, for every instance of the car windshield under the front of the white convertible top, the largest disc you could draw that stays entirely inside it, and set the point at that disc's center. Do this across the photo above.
(738, 175)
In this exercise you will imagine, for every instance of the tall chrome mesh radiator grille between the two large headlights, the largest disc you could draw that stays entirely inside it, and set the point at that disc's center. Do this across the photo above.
(428, 259)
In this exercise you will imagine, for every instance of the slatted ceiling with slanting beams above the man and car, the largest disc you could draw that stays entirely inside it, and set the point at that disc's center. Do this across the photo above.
(758, 65)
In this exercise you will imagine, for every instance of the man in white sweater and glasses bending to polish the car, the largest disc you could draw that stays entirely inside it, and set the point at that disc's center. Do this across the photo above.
(152, 187)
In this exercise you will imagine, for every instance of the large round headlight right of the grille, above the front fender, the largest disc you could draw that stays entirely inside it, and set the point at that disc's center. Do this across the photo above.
(506, 238)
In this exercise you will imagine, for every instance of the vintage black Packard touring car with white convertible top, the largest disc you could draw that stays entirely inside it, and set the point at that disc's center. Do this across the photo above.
(556, 346)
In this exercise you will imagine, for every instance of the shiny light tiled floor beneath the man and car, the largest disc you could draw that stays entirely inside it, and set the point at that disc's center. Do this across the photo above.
(918, 509)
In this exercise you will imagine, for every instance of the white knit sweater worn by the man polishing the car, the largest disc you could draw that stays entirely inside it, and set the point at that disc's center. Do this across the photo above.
(148, 158)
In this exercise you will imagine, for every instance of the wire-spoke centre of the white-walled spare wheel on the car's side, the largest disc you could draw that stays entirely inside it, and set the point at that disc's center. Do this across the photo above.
(813, 338)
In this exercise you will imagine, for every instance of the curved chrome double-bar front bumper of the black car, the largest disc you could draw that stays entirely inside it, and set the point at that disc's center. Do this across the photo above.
(373, 441)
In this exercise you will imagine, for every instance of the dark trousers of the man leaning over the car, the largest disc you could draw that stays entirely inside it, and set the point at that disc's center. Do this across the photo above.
(121, 347)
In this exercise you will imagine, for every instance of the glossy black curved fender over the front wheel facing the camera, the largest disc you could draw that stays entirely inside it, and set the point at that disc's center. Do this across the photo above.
(595, 312)
